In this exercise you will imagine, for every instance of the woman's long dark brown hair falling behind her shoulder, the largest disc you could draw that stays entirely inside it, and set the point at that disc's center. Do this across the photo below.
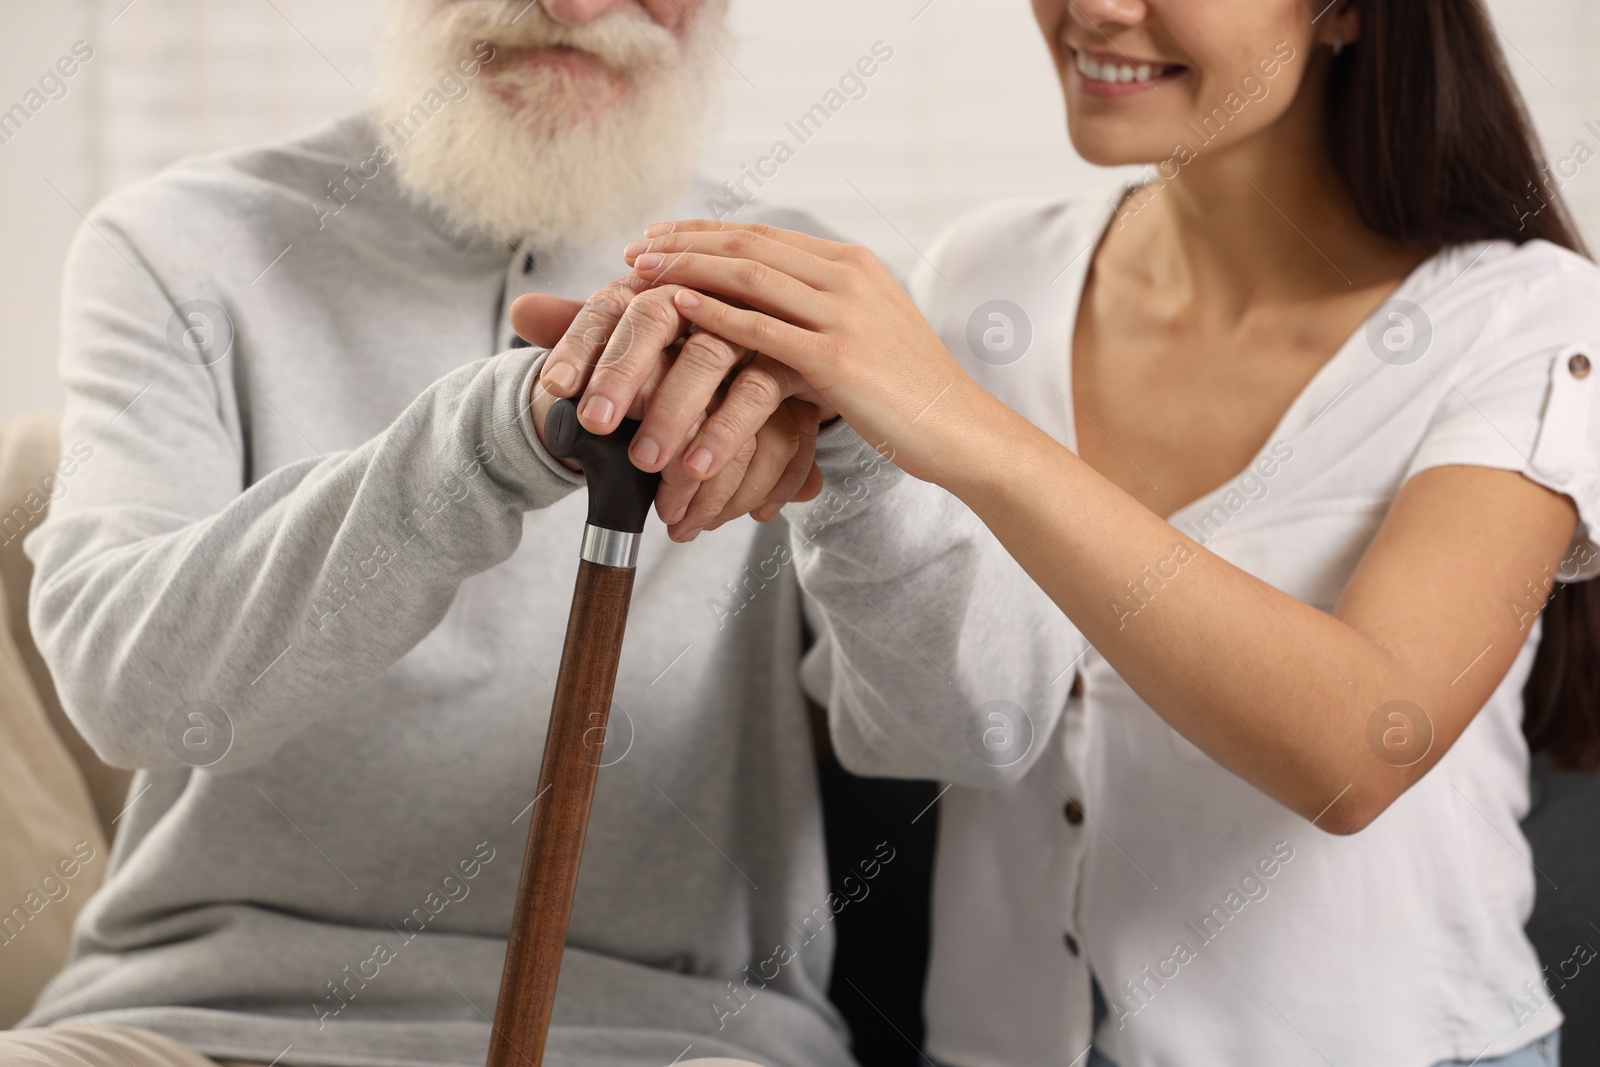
(1434, 142)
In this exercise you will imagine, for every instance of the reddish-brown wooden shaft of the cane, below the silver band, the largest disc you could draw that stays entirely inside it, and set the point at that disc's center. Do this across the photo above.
(561, 815)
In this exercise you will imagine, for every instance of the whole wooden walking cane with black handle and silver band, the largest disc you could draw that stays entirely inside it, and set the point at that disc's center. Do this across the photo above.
(620, 497)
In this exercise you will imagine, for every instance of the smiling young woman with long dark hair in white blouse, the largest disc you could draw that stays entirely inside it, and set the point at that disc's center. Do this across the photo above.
(1300, 434)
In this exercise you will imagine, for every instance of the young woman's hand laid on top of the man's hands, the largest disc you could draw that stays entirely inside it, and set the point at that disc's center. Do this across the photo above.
(836, 316)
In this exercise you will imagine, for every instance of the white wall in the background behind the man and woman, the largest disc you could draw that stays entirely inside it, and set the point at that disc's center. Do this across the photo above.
(966, 111)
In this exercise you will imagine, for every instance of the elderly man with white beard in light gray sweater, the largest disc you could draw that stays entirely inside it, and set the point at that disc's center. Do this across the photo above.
(314, 581)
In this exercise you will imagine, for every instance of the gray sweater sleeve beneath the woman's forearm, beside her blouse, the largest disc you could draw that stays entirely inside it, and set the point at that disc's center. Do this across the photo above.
(937, 655)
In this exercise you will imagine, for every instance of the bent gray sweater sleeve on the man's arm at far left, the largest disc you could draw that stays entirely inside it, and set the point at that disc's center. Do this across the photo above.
(166, 583)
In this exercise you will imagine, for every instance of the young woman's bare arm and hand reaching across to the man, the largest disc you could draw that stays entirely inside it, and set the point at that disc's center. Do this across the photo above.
(1281, 693)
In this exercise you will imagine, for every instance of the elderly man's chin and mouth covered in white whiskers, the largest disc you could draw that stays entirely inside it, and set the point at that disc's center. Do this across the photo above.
(545, 143)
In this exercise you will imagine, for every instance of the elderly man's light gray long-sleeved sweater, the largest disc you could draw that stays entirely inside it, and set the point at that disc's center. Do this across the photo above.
(311, 575)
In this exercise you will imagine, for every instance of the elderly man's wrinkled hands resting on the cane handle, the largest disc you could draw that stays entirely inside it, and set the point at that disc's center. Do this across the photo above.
(626, 338)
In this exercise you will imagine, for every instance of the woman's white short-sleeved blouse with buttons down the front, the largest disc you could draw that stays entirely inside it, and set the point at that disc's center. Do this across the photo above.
(1223, 927)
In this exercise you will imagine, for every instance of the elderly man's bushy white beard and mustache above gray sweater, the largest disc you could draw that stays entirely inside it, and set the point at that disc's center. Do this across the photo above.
(543, 167)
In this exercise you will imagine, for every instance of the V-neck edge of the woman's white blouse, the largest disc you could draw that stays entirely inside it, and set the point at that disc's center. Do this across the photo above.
(1076, 274)
